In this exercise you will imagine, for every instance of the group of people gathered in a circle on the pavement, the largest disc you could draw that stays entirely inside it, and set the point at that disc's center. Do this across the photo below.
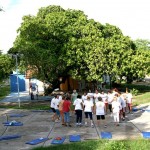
(97, 103)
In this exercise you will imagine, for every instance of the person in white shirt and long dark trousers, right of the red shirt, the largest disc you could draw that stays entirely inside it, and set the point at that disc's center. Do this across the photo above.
(78, 109)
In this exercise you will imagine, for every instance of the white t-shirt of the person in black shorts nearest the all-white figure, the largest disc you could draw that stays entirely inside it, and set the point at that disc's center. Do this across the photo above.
(100, 106)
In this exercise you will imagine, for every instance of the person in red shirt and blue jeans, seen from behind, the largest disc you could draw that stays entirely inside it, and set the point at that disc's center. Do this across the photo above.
(66, 110)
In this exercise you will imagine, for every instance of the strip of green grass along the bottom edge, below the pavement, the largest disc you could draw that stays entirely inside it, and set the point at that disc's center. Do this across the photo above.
(140, 144)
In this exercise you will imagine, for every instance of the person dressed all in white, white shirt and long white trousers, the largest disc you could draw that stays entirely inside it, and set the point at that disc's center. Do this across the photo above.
(116, 108)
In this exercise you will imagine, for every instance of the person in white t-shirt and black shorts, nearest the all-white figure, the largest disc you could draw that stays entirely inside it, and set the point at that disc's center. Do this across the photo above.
(100, 109)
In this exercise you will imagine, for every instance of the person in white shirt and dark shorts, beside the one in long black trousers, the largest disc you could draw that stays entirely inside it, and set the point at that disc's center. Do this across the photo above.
(88, 109)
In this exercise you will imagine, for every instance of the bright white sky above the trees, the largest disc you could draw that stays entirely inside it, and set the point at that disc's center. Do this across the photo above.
(131, 16)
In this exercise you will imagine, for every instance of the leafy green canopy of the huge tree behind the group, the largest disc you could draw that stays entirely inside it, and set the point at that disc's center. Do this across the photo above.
(58, 42)
